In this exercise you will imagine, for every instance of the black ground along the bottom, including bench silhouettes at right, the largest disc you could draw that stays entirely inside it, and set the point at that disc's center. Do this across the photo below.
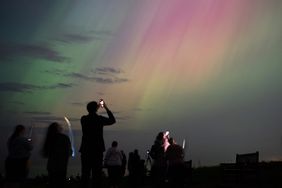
(268, 175)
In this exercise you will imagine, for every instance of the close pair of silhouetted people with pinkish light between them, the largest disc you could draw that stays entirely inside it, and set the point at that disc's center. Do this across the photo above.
(168, 161)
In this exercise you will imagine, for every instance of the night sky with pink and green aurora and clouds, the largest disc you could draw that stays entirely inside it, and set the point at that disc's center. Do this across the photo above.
(209, 71)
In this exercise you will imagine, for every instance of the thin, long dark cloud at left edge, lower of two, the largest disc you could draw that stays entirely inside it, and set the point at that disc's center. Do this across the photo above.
(22, 87)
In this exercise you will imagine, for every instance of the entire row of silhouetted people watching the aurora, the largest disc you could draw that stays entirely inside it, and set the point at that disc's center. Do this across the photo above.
(166, 154)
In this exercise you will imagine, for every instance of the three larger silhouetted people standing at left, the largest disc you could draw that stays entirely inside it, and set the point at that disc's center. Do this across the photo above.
(57, 149)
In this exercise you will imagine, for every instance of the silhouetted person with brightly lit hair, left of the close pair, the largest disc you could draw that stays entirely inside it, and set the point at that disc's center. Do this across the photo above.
(157, 153)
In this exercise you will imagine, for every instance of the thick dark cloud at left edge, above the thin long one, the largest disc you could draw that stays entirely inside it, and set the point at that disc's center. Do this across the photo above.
(9, 52)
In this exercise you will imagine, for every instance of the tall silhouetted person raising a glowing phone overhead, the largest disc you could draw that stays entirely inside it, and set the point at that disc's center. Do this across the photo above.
(92, 145)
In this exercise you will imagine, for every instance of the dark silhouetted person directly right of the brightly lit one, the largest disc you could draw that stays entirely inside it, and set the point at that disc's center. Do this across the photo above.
(176, 170)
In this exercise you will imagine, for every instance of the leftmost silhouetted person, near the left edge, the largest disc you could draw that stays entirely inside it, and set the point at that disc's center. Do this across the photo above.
(19, 151)
